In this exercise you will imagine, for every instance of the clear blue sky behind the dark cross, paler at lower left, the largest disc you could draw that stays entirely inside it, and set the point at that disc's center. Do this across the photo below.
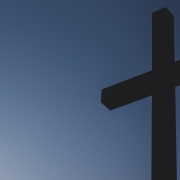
(55, 57)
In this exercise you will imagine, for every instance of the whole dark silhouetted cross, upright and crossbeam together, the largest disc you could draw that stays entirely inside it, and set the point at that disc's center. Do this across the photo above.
(159, 83)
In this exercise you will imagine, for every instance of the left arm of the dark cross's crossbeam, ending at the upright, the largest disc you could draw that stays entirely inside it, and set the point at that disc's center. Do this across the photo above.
(127, 91)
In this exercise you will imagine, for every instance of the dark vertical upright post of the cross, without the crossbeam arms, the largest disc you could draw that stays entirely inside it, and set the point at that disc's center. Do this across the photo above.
(163, 98)
